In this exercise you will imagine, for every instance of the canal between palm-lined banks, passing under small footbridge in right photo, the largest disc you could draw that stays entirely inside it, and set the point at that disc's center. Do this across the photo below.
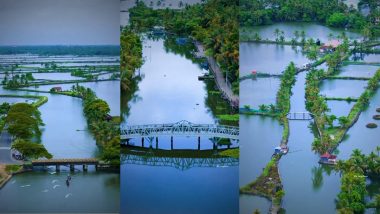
(307, 184)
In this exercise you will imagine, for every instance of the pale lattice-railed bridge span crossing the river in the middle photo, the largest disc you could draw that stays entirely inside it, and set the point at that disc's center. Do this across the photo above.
(182, 128)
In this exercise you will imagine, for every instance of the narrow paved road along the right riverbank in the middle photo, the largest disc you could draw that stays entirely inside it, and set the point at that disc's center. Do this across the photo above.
(219, 78)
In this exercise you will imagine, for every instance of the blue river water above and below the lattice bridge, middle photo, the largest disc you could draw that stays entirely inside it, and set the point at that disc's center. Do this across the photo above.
(170, 92)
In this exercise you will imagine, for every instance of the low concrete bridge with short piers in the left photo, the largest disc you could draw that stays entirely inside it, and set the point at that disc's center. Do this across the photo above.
(67, 162)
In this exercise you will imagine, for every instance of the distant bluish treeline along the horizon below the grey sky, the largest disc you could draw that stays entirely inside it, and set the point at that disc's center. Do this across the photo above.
(78, 50)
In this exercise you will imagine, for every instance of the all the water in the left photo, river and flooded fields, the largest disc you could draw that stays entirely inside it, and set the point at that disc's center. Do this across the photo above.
(65, 135)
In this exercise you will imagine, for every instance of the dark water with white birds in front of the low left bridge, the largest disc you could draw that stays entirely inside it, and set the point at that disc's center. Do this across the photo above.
(45, 192)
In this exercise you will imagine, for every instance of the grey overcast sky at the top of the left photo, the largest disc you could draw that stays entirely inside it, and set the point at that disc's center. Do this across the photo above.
(59, 22)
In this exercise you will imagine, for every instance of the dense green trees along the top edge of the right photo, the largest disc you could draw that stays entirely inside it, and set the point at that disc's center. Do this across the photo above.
(334, 13)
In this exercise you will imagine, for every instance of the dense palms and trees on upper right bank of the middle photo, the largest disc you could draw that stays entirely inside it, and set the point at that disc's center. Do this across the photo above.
(214, 24)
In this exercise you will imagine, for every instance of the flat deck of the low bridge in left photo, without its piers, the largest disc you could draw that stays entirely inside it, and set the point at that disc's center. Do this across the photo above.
(75, 161)
